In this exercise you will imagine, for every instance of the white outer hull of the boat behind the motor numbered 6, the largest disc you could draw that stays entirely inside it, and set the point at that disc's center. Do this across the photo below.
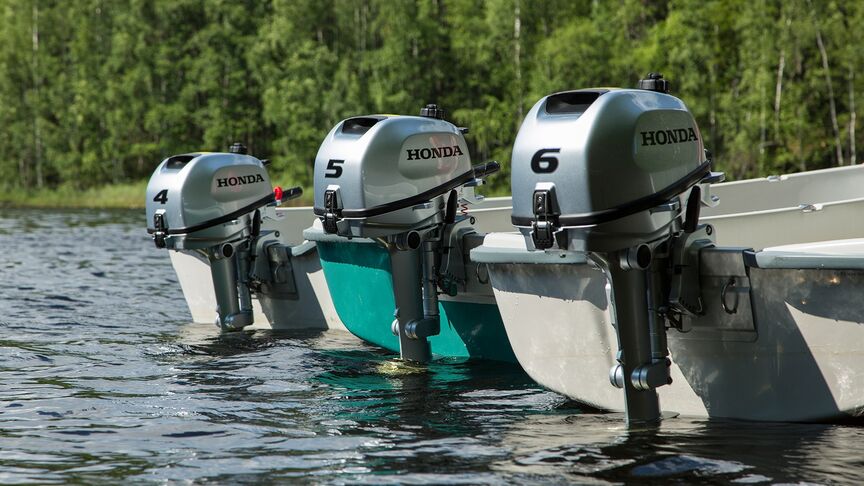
(799, 361)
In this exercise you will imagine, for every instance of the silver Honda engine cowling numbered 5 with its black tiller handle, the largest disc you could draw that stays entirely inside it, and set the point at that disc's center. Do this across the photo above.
(377, 175)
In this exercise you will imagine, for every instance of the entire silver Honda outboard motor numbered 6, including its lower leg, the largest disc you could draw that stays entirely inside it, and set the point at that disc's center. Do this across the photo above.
(607, 172)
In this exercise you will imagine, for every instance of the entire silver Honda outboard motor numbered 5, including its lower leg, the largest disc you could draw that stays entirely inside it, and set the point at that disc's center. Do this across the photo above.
(395, 179)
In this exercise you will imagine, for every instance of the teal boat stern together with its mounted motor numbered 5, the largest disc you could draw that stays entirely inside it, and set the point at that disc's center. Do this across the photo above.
(392, 244)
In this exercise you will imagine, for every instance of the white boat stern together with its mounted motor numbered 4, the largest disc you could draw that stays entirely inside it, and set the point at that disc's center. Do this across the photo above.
(237, 255)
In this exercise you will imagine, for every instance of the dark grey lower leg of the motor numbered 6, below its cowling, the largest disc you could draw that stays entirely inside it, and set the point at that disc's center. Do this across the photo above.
(649, 296)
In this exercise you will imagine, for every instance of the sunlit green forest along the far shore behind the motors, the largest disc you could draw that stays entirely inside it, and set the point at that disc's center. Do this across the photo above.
(95, 93)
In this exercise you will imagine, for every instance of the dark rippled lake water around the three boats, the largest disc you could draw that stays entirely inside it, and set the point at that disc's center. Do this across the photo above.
(105, 380)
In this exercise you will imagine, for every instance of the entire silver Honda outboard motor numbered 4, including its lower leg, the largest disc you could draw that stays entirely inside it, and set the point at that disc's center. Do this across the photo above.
(211, 203)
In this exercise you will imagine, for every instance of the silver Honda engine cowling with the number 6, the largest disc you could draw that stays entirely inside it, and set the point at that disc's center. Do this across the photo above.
(592, 168)
